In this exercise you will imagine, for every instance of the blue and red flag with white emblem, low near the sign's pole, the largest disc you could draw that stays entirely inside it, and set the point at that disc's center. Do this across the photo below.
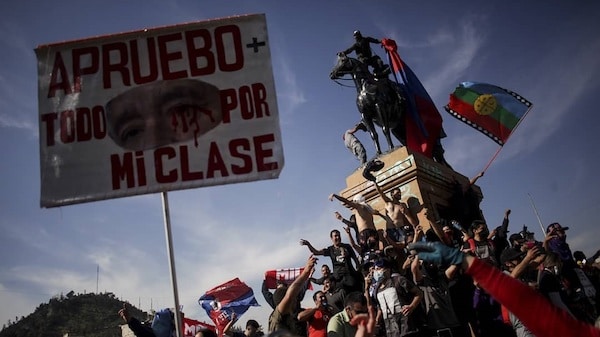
(223, 300)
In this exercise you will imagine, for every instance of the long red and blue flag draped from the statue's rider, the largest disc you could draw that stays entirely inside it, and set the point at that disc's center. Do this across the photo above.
(423, 121)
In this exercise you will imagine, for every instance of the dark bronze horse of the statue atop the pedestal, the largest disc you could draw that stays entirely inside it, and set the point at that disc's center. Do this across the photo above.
(379, 101)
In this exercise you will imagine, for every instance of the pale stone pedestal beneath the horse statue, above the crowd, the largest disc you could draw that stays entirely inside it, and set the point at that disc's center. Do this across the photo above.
(423, 182)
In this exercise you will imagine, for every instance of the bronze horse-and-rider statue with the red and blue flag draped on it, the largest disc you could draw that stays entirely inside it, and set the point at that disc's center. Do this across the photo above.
(393, 106)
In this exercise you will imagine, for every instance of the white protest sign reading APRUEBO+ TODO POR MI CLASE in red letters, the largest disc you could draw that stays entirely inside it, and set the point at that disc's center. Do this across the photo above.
(156, 110)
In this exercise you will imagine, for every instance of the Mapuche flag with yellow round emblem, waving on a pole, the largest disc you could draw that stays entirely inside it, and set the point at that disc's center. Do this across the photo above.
(490, 109)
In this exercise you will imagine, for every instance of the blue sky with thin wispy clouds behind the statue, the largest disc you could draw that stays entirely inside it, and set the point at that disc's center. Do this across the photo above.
(548, 53)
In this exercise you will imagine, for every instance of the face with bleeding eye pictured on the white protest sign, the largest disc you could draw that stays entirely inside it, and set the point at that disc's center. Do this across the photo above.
(163, 113)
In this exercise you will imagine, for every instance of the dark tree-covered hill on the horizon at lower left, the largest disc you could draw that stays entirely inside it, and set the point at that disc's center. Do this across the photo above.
(81, 315)
